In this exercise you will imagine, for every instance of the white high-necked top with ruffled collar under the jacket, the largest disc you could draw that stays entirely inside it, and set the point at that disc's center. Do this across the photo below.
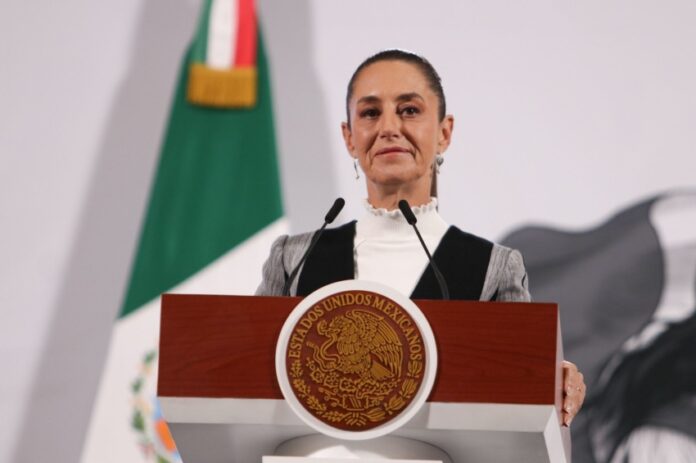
(386, 248)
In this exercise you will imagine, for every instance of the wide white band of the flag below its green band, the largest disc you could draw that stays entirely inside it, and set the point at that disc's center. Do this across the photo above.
(237, 272)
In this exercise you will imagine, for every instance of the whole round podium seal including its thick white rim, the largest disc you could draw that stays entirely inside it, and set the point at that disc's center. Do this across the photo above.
(356, 360)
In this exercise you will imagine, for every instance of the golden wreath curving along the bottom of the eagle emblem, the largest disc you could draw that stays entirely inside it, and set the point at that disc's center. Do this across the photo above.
(358, 419)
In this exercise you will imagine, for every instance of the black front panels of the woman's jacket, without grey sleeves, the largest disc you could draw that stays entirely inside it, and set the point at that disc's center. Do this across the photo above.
(461, 257)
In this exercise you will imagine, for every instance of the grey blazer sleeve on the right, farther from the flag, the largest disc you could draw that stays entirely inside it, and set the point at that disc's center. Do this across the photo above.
(506, 277)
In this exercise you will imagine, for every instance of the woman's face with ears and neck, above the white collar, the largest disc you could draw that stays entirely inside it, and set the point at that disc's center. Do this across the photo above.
(394, 131)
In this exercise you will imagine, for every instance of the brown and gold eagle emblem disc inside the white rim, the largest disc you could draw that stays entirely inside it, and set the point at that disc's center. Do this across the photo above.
(355, 360)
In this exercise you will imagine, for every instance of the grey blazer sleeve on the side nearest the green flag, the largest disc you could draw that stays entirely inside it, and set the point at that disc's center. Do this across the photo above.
(286, 252)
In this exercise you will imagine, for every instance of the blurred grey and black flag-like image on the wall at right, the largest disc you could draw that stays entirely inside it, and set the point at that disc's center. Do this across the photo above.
(627, 293)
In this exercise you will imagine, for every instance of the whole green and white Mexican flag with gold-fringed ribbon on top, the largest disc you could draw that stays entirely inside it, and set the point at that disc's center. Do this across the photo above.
(214, 209)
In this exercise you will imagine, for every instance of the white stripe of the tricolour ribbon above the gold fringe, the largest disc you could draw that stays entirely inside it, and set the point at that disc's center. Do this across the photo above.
(222, 33)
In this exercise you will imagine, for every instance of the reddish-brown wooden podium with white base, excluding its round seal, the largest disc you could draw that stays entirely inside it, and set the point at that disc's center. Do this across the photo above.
(497, 395)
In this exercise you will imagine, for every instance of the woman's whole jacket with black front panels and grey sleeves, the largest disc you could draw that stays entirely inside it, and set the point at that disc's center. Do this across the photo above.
(474, 268)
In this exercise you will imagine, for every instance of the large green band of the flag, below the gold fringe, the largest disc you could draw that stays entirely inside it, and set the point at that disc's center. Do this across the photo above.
(216, 185)
